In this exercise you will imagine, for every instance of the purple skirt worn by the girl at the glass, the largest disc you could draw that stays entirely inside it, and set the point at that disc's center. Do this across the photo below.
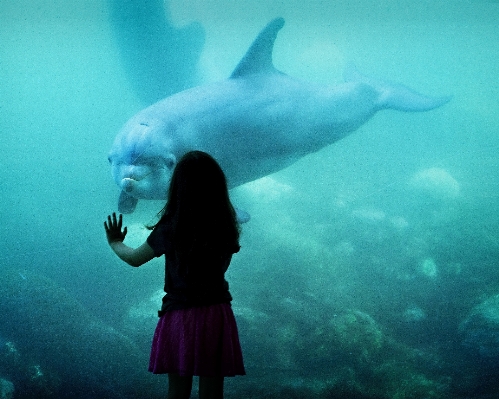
(200, 341)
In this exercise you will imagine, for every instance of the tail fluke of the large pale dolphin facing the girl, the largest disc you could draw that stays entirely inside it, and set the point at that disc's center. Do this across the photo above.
(396, 96)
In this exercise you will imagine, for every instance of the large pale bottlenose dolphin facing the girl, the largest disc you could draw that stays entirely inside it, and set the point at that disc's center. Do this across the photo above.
(257, 122)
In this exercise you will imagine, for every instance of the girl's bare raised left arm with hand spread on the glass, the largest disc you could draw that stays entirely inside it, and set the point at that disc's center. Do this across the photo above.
(134, 257)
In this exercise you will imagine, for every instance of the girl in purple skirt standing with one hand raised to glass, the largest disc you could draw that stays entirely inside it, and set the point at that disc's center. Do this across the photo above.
(198, 233)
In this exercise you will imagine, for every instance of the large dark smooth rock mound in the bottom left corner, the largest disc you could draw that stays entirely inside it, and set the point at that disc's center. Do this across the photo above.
(64, 350)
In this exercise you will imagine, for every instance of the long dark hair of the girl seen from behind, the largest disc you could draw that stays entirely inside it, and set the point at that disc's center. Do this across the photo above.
(198, 208)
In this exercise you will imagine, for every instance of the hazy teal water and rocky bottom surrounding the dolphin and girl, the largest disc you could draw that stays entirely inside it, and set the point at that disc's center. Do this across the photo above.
(369, 269)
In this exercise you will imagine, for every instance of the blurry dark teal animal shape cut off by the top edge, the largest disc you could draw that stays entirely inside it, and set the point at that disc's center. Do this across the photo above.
(158, 58)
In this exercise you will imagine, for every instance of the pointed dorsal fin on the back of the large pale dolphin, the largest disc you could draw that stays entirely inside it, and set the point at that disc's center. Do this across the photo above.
(258, 58)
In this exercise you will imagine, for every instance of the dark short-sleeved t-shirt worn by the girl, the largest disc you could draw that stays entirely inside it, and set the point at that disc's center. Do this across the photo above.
(194, 280)
